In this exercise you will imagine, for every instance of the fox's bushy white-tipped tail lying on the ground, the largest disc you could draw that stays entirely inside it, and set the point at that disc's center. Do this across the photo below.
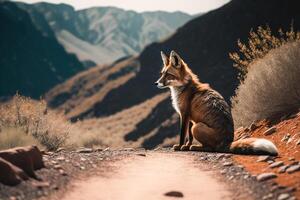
(253, 146)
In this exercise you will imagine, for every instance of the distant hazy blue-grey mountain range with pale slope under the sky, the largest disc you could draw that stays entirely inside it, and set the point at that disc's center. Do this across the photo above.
(105, 34)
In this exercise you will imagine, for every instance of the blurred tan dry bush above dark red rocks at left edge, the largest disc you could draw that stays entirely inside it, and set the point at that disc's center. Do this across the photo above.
(24, 121)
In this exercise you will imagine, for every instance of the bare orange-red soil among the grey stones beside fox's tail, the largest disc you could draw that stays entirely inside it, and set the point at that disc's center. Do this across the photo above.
(289, 151)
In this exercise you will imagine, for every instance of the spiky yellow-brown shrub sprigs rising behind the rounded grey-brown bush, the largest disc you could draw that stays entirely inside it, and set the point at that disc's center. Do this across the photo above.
(258, 45)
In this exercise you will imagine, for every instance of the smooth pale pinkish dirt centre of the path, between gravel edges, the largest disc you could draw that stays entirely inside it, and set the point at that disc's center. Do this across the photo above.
(152, 177)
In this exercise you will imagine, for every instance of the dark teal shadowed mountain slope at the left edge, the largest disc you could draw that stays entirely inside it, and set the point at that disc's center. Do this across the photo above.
(31, 62)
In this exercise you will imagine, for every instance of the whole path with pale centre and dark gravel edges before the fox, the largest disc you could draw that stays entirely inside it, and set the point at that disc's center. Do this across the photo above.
(137, 174)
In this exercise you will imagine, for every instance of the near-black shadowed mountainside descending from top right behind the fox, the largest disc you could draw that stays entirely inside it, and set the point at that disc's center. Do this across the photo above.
(204, 43)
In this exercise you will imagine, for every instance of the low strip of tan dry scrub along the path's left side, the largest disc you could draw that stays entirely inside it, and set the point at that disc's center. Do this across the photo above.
(26, 122)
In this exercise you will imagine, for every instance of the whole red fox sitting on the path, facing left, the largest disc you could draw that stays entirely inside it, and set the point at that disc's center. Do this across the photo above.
(204, 114)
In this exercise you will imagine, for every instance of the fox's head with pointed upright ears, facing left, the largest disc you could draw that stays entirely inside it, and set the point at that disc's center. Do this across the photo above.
(174, 73)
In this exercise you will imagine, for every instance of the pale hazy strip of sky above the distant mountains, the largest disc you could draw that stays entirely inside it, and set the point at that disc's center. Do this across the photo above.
(189, 6)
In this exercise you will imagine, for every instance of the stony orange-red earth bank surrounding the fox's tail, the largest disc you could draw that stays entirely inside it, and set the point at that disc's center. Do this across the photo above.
(285, 134)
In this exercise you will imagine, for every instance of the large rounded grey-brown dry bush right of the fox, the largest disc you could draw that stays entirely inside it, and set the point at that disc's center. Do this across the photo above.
(271, 86)
